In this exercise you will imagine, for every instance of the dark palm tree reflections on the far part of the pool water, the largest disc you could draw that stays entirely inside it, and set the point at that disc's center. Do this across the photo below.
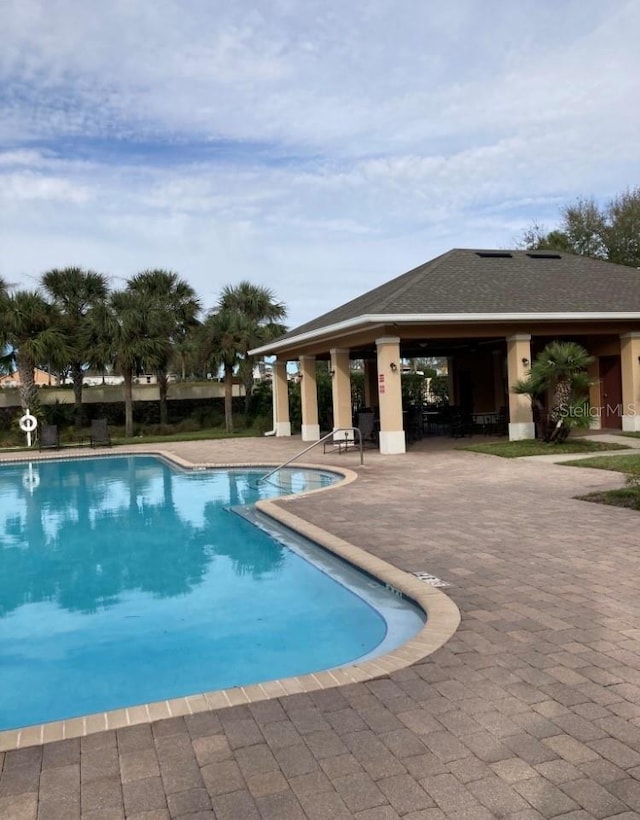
(86, 531)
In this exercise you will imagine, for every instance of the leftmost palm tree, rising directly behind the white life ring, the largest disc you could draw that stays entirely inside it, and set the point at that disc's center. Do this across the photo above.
(30, 328)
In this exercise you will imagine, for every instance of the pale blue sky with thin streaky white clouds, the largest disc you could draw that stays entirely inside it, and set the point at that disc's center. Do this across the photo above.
(318, 148)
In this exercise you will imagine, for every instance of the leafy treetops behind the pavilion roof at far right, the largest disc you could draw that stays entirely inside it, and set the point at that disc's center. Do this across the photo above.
(611, 232)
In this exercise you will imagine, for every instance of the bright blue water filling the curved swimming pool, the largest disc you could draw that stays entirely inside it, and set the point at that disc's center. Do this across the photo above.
(125, 581)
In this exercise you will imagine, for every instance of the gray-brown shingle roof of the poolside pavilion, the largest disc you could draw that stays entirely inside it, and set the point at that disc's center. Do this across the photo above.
(496, 282)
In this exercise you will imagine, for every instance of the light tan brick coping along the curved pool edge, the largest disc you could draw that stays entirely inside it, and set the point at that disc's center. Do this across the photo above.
(443, 618)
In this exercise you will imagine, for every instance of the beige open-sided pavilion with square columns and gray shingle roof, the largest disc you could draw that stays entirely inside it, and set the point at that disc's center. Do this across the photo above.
(489, 313)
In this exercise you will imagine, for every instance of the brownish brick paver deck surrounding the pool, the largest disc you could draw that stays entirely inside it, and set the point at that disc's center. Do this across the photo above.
(531, 710)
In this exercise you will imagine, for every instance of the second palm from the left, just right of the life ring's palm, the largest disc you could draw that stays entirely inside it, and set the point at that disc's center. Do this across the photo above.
(75, 292)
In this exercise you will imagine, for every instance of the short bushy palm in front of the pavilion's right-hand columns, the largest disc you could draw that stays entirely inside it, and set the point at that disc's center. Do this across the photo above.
(560, 370)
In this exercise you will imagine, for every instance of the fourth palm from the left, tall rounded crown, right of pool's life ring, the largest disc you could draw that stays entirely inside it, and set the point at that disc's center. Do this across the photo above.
(178, 308)
